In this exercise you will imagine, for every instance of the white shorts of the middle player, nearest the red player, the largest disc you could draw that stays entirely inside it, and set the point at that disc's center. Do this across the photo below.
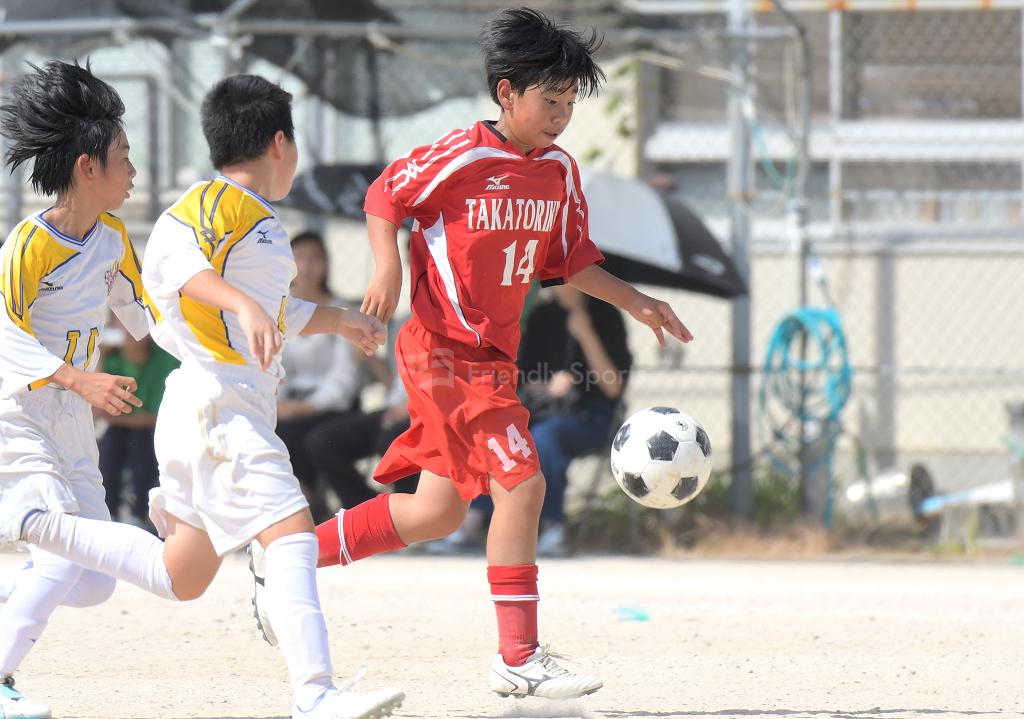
(223, 468)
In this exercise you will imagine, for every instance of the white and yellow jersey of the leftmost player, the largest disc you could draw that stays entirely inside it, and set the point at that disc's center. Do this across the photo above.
(57, 290)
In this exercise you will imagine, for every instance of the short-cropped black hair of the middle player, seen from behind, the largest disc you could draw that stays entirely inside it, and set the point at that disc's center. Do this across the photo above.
(241, 115)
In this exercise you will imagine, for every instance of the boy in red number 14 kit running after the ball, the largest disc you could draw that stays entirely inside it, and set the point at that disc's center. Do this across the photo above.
(495, 206)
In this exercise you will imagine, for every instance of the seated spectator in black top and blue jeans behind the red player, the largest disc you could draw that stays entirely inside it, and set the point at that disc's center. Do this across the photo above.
(574, 364)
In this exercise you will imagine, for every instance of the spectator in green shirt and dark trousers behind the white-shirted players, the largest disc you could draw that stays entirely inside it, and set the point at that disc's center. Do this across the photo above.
(126, 446)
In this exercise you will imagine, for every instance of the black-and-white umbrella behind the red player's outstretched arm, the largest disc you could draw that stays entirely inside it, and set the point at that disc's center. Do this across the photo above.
(652, 239)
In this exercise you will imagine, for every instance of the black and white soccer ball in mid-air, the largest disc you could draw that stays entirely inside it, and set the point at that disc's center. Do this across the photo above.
(661, 458)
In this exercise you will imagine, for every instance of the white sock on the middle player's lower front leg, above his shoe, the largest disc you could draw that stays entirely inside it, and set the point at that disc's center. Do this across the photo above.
(293, 607)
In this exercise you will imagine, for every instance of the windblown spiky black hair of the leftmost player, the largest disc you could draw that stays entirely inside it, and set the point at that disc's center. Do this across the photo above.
(55, 115)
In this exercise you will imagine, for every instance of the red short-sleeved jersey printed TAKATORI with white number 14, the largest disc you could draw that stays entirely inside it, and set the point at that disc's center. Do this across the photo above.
(488, 220)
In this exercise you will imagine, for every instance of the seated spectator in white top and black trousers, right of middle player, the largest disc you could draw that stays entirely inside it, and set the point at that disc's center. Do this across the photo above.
(325, 374)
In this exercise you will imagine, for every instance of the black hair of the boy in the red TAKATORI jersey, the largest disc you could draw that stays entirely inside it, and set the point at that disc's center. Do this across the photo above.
(525, 48)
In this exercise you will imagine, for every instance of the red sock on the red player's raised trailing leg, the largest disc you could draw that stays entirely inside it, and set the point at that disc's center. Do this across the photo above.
(367, 530)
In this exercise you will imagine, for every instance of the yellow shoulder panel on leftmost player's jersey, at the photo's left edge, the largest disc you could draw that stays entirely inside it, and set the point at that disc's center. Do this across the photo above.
(33, 256)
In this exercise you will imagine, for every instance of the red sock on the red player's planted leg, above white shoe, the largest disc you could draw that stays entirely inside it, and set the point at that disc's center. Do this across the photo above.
(515, 593)
